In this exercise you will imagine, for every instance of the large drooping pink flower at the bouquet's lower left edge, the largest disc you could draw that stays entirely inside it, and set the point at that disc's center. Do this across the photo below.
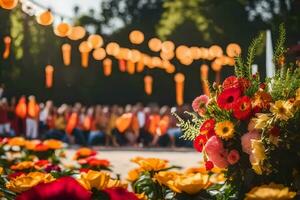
(216, 152)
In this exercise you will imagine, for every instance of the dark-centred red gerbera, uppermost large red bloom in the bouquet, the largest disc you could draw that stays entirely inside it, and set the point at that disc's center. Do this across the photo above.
(227, 99)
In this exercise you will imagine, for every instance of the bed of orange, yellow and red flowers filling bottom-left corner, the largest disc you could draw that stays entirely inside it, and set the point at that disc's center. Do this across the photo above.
(35, 169)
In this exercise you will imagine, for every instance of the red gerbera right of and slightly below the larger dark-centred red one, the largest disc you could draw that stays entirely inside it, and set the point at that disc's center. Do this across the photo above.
(242, 109)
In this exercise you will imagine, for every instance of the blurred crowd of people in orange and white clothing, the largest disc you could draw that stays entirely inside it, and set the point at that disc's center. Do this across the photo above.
(132, 125)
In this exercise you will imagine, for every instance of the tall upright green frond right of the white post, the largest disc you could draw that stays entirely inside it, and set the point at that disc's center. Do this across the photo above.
(279, 48)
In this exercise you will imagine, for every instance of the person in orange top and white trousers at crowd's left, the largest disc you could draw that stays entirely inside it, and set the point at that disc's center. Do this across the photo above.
(32, 118)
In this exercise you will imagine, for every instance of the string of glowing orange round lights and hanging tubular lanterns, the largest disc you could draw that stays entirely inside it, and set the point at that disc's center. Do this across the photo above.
(130, 60)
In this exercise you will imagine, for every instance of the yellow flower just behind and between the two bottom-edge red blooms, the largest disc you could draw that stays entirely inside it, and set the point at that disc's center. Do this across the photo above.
(94, 179)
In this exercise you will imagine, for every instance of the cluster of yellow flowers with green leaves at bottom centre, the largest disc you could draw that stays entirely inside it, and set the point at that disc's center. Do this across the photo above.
(154, 179)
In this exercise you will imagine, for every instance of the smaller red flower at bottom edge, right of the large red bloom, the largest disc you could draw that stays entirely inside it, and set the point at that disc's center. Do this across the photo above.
(120, 194)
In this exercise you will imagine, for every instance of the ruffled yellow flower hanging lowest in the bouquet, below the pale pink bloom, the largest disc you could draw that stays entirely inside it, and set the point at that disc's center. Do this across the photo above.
(258, 155)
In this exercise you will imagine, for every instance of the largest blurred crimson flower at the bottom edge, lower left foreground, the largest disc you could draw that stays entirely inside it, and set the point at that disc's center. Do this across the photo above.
(60, 189)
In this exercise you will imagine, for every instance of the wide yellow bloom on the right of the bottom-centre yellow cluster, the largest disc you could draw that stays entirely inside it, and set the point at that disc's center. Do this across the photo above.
(192, 183)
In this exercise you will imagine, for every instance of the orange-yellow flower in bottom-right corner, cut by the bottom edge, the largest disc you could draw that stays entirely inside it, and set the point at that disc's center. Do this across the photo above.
(271, 191)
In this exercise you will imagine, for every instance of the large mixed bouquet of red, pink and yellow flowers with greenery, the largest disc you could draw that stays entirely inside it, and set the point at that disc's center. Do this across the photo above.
(251, 129)
